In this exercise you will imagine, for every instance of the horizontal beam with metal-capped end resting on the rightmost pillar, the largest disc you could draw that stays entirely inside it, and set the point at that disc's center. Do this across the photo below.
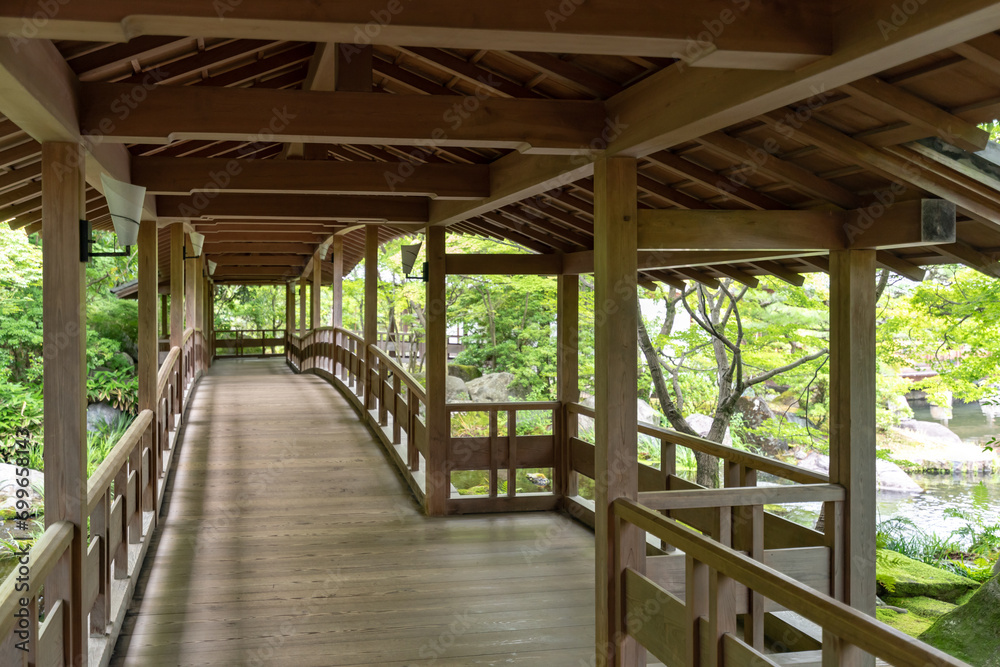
(911, 223)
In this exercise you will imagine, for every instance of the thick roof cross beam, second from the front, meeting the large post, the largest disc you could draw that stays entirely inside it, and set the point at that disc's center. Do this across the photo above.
(172, 113)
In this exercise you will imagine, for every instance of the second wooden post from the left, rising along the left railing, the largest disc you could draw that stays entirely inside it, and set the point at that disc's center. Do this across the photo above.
(149, 347)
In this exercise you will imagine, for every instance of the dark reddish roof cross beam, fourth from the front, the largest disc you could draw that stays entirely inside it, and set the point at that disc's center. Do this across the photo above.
(293, 207)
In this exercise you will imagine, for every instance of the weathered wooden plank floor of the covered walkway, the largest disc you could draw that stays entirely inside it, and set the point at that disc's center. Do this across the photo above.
(288, 539)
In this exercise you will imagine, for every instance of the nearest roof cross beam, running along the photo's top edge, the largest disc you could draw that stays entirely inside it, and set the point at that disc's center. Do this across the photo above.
(768, 35)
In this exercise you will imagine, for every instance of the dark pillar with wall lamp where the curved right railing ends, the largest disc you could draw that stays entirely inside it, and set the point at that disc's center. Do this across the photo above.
(438, 485)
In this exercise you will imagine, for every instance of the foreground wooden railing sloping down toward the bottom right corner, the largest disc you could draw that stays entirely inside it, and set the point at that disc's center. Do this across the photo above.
(702, 629)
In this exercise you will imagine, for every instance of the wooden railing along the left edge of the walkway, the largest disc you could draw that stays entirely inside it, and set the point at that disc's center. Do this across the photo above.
(123, 499)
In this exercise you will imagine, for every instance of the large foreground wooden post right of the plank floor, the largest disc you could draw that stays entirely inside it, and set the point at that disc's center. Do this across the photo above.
(616, 469)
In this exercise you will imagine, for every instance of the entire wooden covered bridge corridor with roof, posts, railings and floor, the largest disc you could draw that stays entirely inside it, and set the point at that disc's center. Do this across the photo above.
(642, 142)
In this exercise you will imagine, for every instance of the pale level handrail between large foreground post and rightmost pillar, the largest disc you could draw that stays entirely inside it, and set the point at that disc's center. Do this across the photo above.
(742, 495)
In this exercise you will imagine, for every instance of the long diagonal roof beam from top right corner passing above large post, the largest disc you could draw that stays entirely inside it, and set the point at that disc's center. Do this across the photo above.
(678, 105)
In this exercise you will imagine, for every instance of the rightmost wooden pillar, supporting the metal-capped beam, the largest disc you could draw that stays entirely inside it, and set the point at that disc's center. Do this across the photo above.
(852, 433)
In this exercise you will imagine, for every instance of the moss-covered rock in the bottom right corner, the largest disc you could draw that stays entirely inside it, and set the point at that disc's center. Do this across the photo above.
(971, 632)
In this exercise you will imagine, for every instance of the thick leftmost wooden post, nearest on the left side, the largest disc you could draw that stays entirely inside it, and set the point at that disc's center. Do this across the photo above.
(64, 326)
